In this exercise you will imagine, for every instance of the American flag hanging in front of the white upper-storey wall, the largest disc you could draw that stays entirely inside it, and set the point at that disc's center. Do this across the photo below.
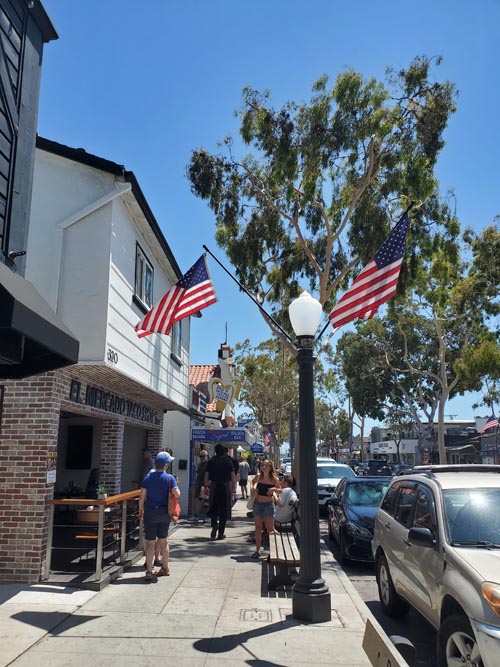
(193, 292)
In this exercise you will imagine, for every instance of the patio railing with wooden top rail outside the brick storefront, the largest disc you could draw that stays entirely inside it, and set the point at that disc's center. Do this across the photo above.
(122, 524)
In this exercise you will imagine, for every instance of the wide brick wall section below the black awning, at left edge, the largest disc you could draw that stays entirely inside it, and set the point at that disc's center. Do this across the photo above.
(29, 431)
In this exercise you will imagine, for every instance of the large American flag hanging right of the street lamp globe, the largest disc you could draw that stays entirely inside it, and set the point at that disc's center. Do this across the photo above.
(376, 283)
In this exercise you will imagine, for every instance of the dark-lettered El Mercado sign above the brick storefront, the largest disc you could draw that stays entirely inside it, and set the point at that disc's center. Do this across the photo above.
(106, 400)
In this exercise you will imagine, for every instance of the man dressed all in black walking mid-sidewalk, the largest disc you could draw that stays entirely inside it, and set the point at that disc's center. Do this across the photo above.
(219, 477)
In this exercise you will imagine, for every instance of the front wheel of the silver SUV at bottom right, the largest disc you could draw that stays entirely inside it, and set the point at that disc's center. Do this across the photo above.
(457, 644)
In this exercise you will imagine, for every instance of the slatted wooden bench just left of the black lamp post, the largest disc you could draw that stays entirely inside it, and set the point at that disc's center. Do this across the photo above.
(284, 553)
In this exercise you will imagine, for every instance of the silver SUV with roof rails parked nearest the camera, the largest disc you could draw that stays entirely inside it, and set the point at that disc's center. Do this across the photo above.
(436, 546)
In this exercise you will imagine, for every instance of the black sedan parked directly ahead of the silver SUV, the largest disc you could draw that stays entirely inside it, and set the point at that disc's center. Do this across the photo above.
(351, 515)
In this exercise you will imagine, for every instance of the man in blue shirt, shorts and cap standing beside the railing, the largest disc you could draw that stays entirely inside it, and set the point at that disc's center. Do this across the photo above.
(153, 509)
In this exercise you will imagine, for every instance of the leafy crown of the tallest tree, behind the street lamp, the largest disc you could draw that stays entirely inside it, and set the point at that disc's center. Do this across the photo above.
(325, 180)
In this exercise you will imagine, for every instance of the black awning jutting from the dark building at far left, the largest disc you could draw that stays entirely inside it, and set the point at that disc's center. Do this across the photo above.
(33, 339)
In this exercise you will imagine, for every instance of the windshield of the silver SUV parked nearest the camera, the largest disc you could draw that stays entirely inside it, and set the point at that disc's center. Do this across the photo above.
(472, 516)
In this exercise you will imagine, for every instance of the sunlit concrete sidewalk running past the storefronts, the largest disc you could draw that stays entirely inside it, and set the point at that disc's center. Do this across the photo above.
(214, 609)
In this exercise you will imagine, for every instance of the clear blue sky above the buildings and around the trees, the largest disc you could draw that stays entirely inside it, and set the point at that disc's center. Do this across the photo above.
(145, 83)
